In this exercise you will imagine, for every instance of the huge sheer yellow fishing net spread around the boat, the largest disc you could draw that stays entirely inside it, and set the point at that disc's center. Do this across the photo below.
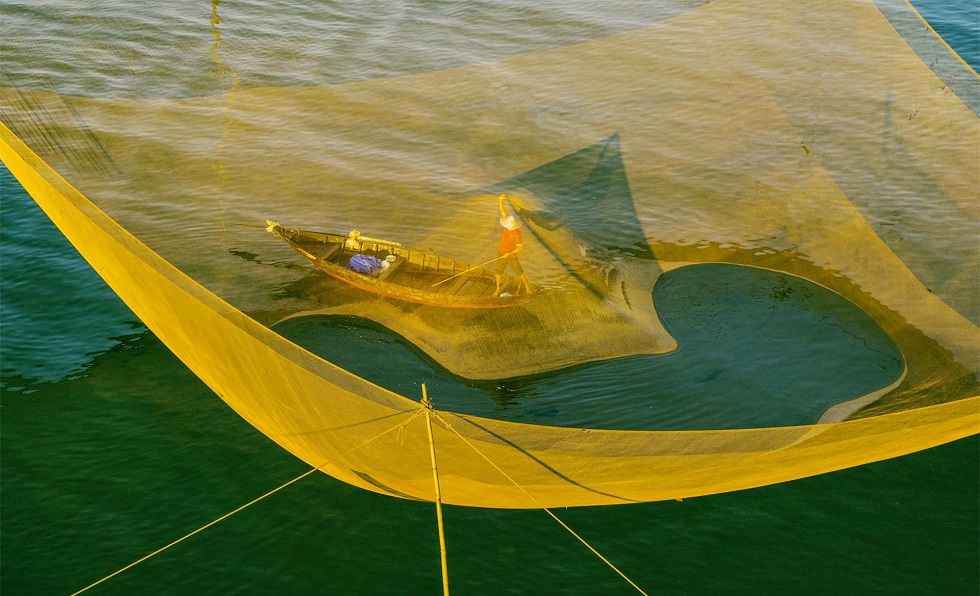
(792, 138)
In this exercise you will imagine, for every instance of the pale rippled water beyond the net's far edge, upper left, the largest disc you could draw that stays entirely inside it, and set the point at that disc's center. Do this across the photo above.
(296, 44)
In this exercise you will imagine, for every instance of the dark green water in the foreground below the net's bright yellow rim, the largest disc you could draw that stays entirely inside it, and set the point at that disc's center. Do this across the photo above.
(136, 452)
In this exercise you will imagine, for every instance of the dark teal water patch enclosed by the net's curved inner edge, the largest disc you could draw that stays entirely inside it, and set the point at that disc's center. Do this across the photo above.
(758, 349)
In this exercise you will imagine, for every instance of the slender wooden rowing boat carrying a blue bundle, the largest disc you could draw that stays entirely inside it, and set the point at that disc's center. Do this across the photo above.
(408, 273)
